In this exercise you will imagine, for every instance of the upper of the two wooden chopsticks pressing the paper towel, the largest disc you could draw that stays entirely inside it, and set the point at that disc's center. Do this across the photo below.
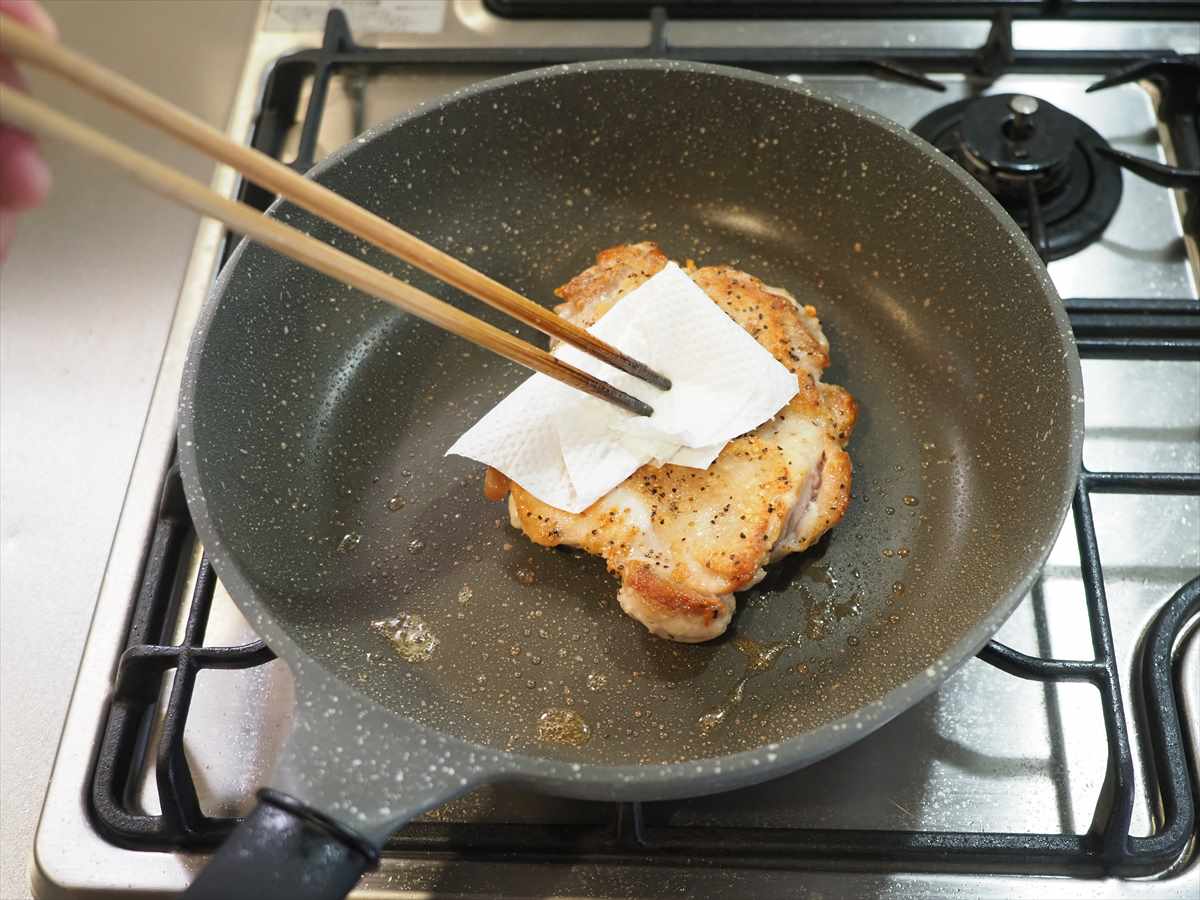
(25, 44)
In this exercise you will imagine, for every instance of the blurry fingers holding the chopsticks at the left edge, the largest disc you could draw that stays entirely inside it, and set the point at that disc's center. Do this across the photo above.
(25, 177)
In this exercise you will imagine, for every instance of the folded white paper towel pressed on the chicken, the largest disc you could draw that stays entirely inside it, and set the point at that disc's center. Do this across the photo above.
(569, 449)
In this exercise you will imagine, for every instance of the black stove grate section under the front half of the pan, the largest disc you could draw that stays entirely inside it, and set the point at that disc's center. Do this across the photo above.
(1109, 849)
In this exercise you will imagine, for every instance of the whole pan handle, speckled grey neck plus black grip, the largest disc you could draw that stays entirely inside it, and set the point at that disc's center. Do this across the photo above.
(293, 847)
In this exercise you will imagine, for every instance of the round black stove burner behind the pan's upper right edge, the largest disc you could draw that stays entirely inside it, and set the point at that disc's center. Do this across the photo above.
(1043, 165)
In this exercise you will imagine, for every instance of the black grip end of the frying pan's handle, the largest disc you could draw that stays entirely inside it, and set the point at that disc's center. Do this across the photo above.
(286, 851)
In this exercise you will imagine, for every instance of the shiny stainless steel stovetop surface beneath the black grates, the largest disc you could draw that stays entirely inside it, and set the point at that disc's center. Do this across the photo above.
(988, 752)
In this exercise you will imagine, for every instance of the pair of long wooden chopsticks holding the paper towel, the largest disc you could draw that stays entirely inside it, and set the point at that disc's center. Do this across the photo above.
(21, 111)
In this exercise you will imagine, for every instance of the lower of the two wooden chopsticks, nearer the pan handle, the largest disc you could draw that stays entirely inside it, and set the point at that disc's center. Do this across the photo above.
(25, 112)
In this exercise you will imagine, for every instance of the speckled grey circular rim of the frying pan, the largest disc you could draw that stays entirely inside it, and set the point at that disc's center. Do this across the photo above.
(670, 779)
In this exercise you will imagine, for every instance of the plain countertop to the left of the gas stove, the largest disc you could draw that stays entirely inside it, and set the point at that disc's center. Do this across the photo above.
(87, 298)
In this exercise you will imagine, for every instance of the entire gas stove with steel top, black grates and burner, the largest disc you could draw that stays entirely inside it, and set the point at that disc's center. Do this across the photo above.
(1063, 763)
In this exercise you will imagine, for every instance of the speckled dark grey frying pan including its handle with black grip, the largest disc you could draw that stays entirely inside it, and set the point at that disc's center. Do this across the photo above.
(314, 425)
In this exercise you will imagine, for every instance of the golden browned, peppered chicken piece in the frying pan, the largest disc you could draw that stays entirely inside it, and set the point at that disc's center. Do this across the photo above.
(685, 541)
